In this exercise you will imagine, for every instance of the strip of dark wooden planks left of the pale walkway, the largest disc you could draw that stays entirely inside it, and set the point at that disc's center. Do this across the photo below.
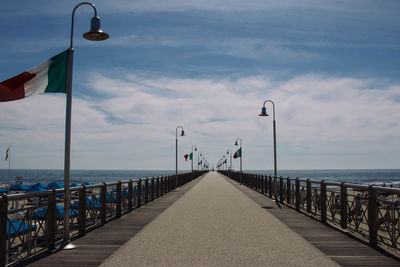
(97, 245)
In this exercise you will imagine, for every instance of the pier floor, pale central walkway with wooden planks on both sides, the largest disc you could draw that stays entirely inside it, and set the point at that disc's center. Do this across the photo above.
(215, 220)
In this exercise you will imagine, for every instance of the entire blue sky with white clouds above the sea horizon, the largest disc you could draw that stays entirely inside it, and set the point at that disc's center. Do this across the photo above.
(331, 67)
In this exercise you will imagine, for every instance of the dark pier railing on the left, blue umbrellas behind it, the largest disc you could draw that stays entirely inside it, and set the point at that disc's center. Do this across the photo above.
(32, 223)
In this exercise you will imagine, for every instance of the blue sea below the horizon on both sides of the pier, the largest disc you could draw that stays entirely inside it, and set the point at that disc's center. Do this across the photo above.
(366, 176)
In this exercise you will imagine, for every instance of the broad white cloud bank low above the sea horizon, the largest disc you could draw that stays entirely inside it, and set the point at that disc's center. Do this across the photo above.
(320, 122)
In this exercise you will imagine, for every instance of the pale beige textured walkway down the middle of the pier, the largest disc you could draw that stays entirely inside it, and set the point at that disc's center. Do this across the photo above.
(215, 224)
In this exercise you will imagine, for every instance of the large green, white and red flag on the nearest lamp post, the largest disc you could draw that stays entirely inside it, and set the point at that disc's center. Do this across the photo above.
(48, 77)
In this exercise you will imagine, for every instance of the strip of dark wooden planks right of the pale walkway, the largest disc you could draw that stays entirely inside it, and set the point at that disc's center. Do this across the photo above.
(341, 248)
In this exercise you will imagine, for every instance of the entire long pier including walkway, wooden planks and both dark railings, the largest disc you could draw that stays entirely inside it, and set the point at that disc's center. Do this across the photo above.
(215, 220)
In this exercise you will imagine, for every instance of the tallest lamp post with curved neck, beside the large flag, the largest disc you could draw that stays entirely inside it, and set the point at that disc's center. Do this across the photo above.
(94, 34)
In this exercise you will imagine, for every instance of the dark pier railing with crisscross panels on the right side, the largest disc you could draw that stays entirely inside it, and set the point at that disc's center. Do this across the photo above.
(369, 212)
